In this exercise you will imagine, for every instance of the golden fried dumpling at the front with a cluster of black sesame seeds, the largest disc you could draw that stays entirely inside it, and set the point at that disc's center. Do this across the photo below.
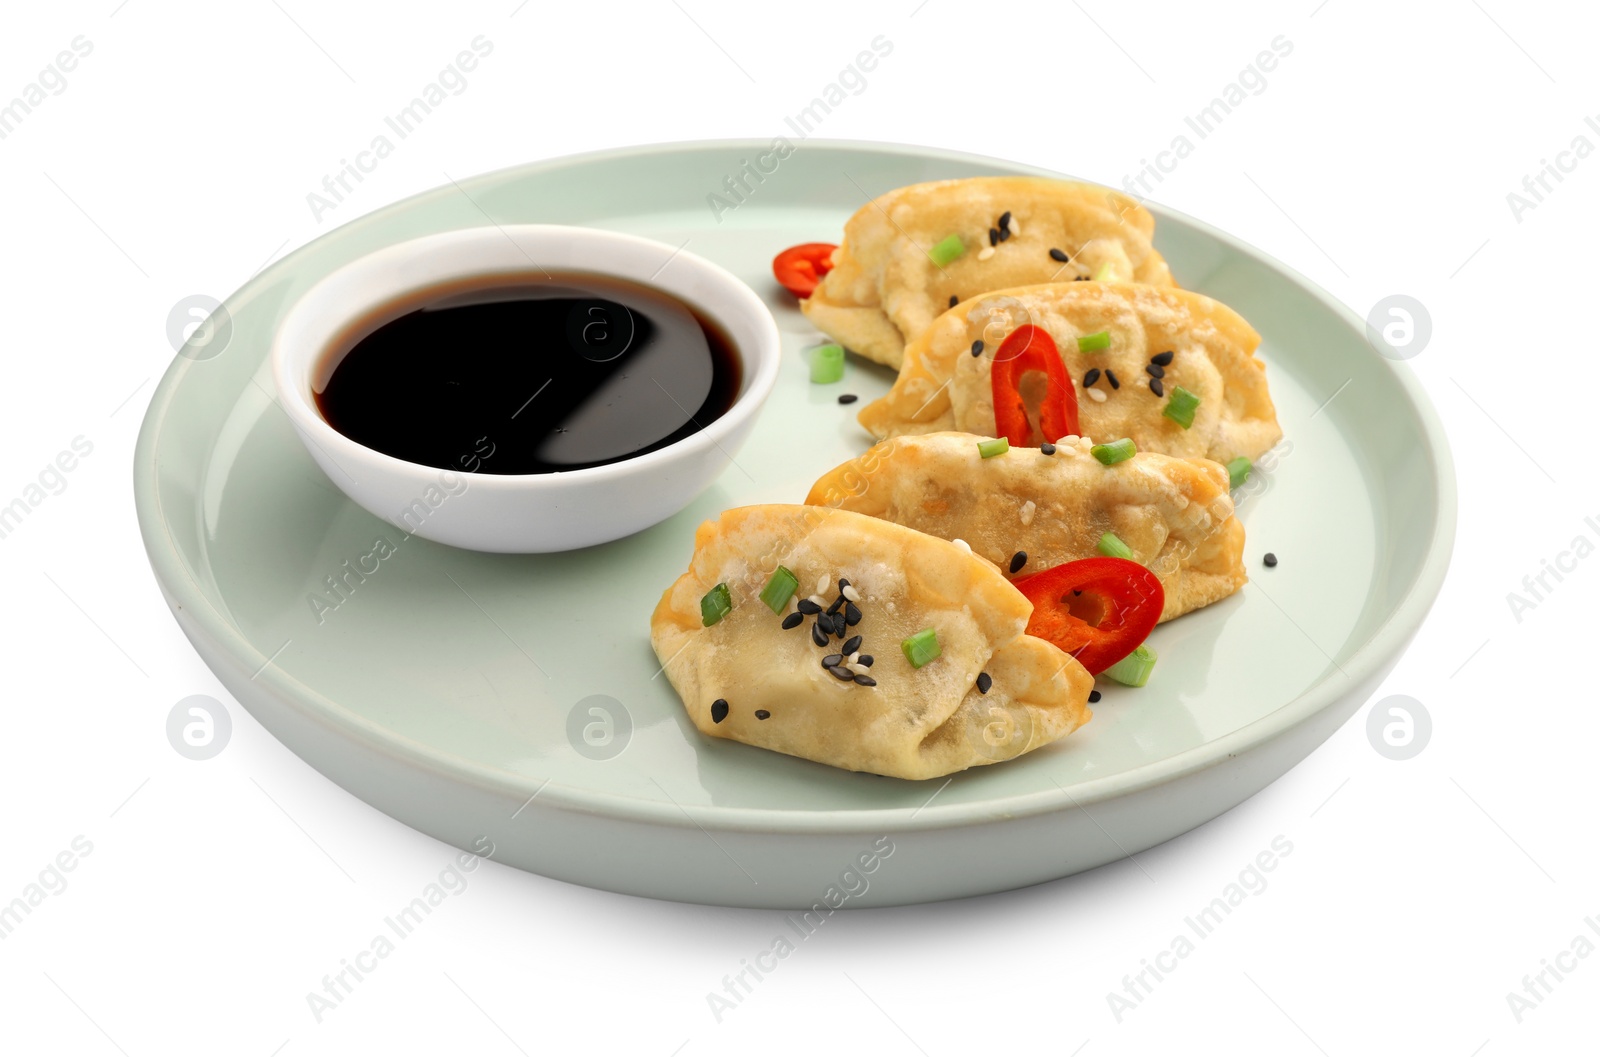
(750, 679)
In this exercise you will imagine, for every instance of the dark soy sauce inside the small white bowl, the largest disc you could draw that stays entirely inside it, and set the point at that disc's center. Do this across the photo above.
(532, 377)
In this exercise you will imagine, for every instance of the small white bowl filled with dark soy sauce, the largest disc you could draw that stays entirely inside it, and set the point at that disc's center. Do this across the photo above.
(526, 388)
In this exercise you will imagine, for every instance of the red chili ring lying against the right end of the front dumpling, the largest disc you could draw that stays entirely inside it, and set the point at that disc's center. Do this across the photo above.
(1098, 610)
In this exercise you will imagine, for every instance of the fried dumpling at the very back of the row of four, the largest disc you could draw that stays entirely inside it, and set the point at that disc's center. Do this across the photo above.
(884, 290)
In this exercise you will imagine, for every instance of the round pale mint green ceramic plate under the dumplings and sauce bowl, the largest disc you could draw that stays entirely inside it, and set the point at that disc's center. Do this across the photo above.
(518, 700)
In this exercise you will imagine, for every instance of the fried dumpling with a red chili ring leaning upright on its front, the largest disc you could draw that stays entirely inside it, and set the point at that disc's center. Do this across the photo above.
(1159, 340)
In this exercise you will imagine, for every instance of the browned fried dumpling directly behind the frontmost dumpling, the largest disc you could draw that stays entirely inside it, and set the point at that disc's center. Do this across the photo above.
(1175, 516)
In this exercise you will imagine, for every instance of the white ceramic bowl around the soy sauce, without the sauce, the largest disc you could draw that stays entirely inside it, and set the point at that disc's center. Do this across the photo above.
(526, 513)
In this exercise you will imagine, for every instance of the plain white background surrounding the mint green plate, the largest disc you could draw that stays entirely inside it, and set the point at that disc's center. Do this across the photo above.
(1377, 161)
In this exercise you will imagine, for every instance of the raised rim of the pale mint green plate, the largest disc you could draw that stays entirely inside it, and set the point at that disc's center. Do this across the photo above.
(1385, 645)
